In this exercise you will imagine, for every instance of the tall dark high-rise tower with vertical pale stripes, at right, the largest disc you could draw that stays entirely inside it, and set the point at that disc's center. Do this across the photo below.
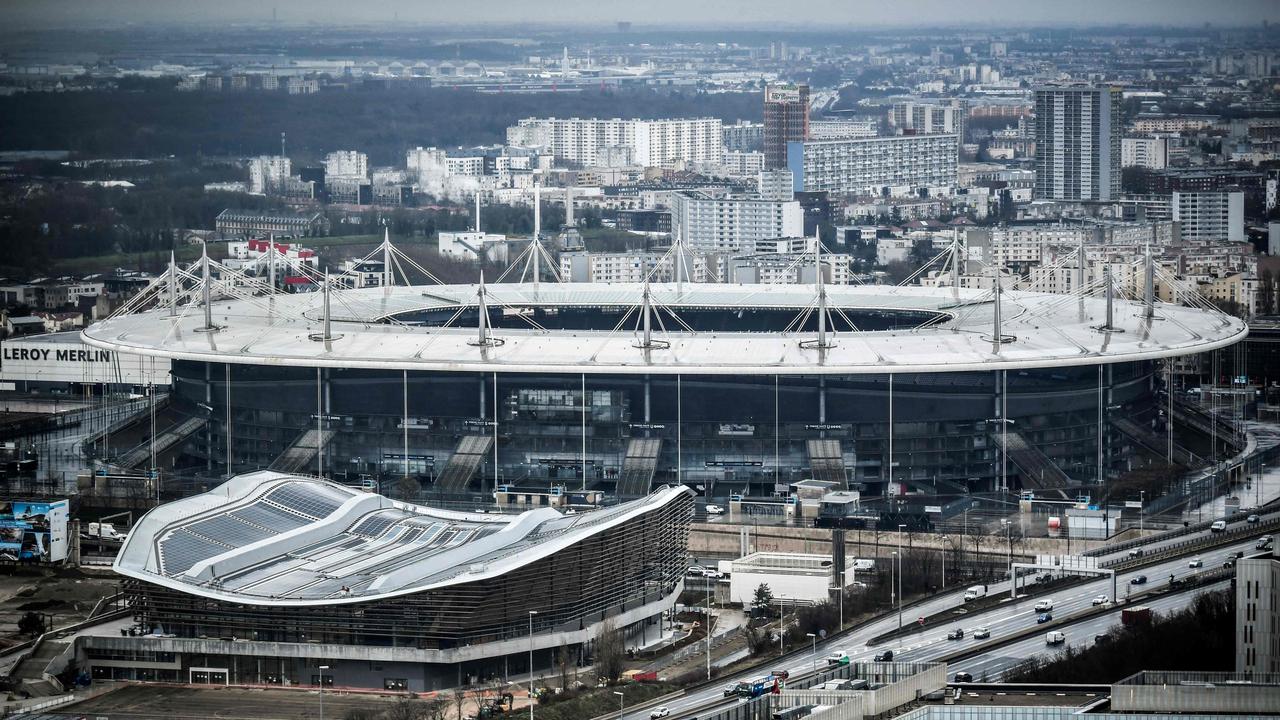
(1077, 143)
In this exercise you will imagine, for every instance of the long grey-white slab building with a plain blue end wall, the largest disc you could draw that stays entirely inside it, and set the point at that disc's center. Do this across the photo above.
(872, 165)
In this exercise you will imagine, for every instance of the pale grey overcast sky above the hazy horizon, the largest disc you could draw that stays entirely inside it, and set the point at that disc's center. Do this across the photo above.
(652, 13)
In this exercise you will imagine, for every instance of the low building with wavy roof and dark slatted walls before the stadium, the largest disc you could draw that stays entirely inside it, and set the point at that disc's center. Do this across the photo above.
(271, 576)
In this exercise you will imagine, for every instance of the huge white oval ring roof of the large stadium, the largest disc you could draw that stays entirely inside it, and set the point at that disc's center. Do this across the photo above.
(1049, 331)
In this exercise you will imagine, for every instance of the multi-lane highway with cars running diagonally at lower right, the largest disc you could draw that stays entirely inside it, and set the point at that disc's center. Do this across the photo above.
(1002, 621)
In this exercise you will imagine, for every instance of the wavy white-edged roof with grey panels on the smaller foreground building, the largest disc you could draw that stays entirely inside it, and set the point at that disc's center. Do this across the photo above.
(275, 539)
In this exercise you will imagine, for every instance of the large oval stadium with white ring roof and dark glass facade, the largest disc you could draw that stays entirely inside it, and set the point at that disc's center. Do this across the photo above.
(733, 390)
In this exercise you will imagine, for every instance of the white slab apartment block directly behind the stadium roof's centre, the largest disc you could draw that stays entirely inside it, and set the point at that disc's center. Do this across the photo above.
(732, 222)
